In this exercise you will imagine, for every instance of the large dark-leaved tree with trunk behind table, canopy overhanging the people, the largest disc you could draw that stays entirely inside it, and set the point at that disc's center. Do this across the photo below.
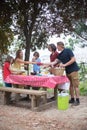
(35, 20)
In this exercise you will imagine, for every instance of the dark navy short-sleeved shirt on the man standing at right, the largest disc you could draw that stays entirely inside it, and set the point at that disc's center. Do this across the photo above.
(64, 57)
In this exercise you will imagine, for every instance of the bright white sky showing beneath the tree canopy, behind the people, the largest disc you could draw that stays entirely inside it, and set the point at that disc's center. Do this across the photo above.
(80, 53)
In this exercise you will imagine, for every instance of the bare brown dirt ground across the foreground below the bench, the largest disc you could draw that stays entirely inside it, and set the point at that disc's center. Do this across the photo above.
(15, 117)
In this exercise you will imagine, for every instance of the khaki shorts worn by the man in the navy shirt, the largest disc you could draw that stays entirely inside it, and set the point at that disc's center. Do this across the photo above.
(74, 79)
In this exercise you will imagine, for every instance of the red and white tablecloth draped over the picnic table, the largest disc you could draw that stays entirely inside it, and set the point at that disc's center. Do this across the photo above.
(41, 81)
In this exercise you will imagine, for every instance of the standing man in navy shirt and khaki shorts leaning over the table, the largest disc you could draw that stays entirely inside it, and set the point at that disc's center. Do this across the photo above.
(68, 60)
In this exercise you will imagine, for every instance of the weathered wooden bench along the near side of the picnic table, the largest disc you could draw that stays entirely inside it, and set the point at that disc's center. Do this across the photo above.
(35, 95)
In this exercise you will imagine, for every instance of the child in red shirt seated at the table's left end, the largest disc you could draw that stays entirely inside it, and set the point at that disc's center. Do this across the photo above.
(6, 69)
